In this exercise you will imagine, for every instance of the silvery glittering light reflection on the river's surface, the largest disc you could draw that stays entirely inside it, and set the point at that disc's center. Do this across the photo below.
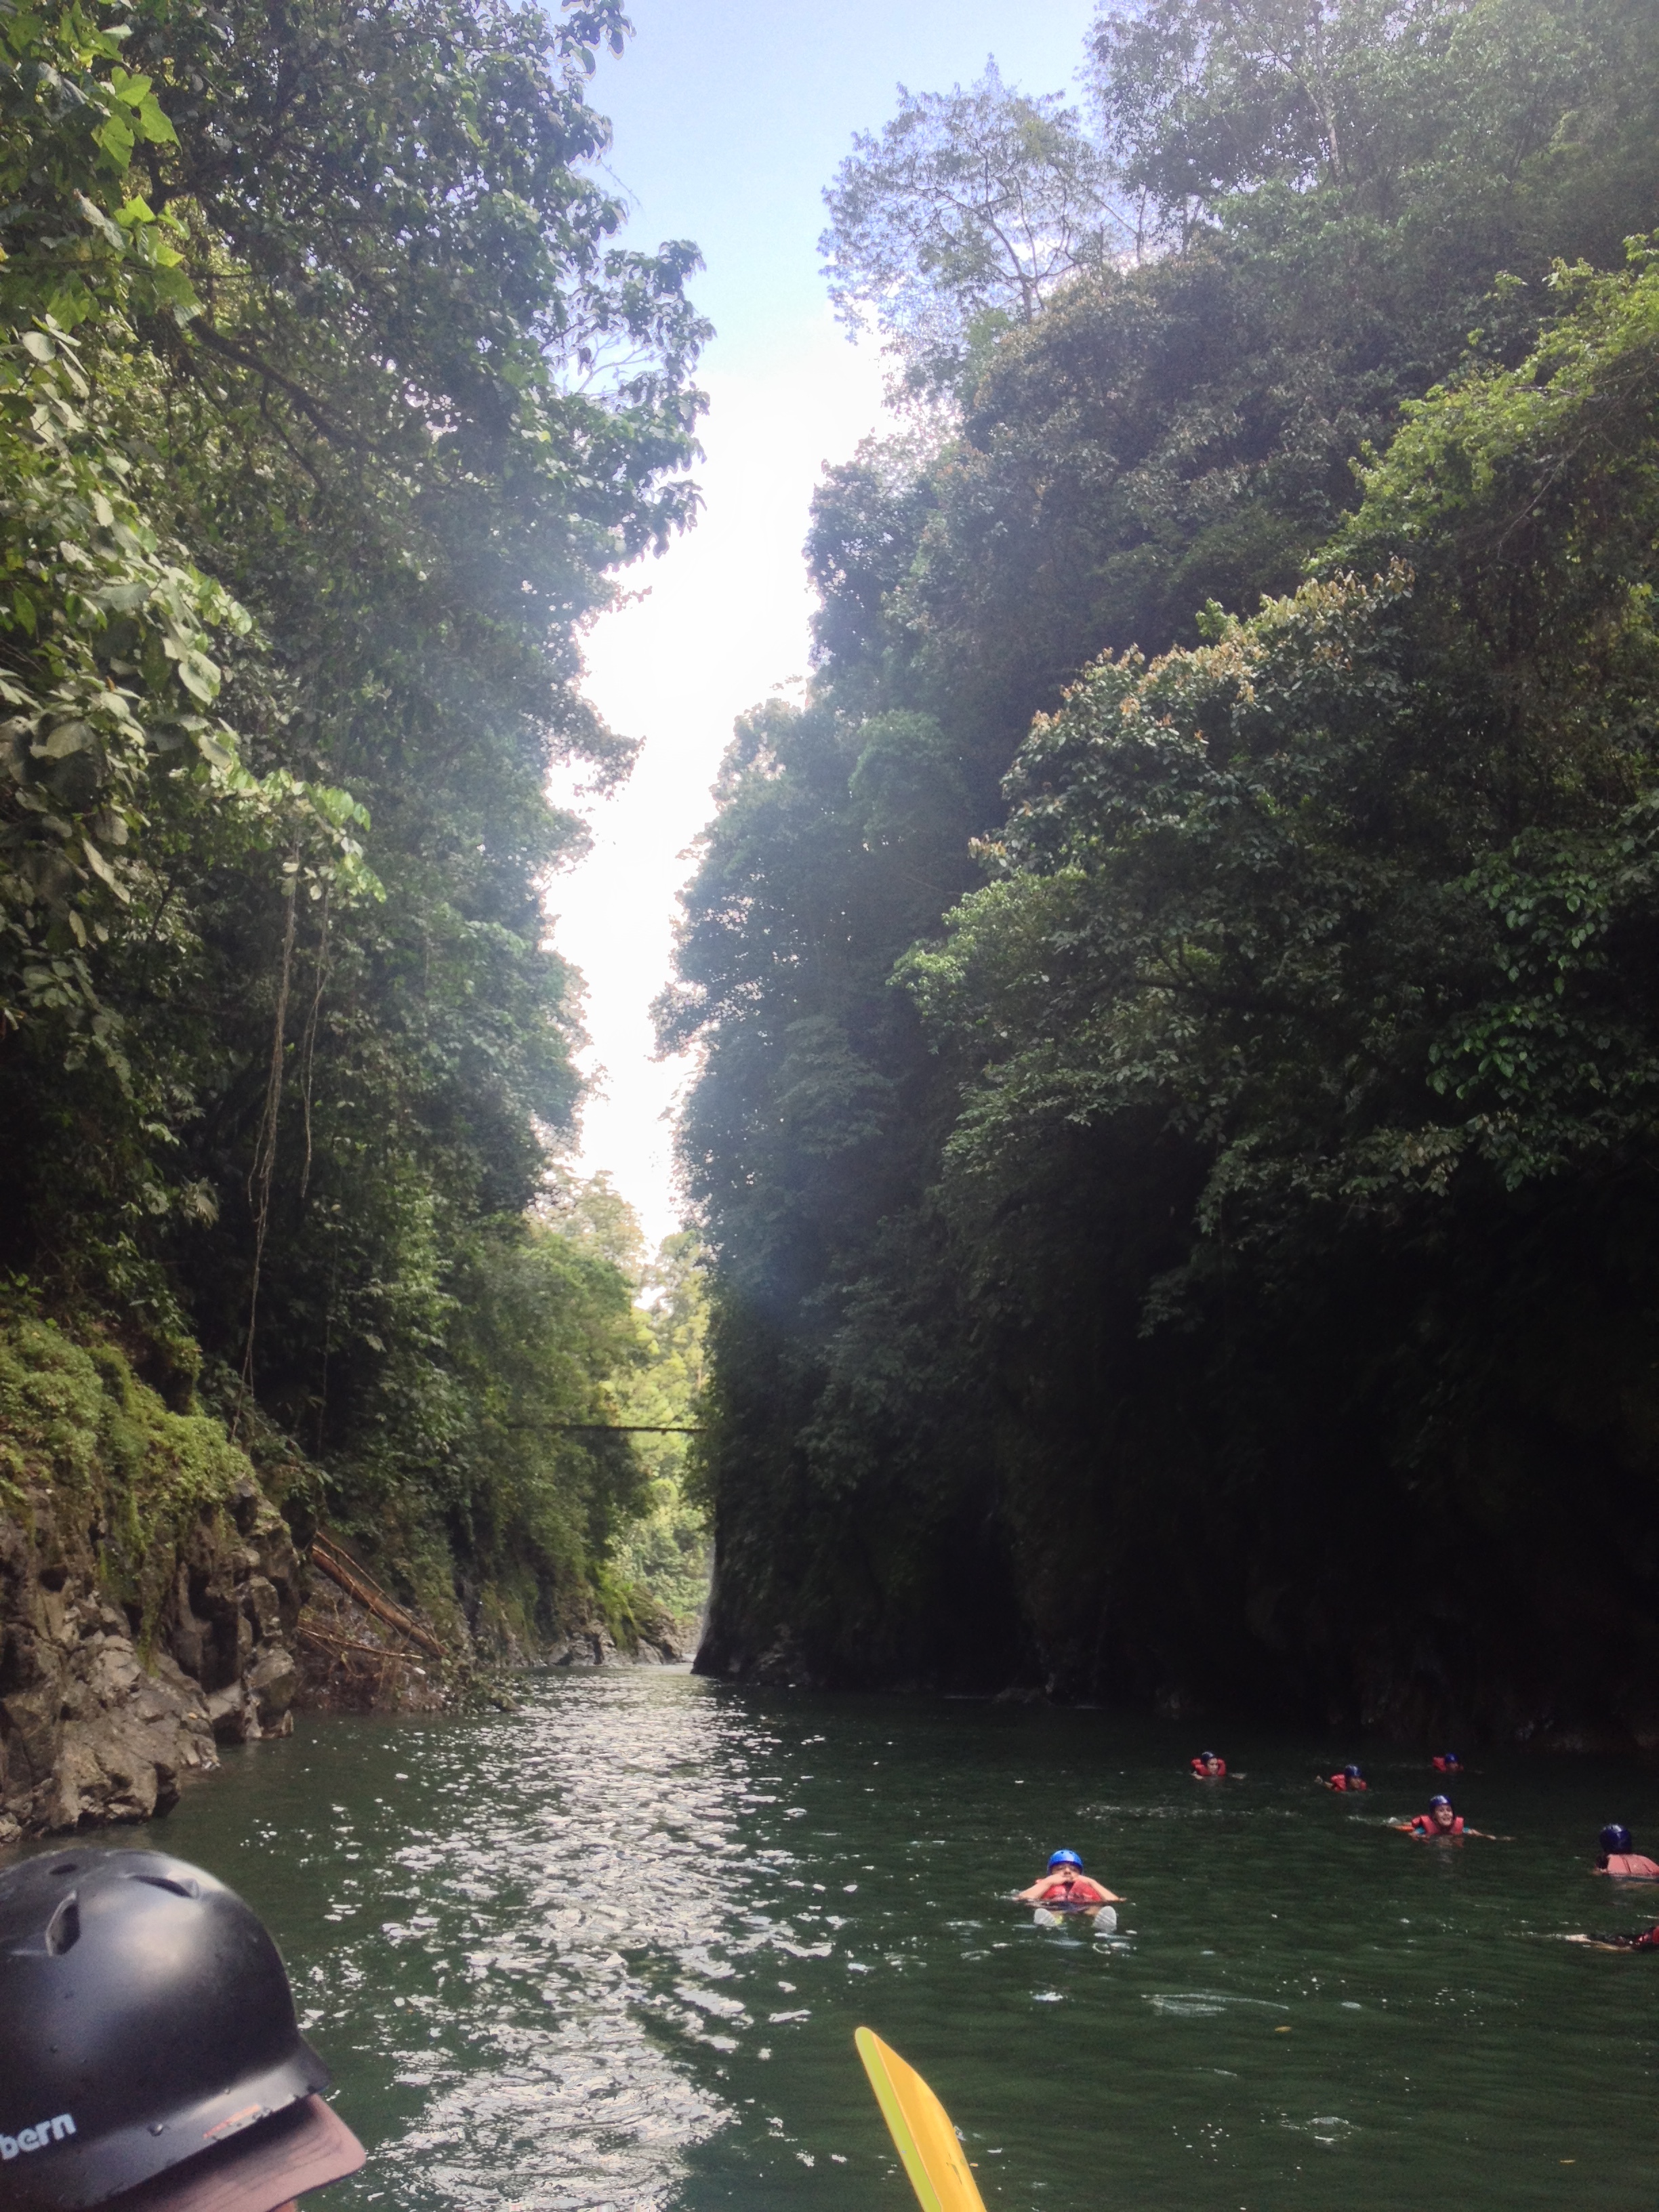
(517, 2012)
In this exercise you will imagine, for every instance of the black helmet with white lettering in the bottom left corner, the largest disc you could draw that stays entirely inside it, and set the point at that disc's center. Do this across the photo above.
(145, 2018)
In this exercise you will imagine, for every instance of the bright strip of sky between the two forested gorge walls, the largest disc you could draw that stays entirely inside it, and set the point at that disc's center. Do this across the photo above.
(731, 116)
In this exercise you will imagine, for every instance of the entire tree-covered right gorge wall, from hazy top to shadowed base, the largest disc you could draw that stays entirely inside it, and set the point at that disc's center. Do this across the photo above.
(1213, 1255)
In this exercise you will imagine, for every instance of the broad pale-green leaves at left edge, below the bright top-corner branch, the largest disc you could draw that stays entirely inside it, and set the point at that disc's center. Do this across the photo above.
(107, 647)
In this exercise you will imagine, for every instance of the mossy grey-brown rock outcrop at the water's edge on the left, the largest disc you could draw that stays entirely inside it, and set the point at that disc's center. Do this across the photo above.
(147, 1592)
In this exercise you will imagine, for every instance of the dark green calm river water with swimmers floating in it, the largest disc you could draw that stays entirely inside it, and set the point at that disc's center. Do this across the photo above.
(612, 1952)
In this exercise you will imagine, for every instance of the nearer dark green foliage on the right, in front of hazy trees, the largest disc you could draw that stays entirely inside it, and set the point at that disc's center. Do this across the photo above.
(1317, 1047)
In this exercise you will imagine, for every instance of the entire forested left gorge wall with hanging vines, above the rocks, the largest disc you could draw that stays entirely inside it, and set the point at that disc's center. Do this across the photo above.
(331, 404)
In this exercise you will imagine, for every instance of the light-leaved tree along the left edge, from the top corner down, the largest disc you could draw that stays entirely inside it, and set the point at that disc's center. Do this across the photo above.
(109, 629)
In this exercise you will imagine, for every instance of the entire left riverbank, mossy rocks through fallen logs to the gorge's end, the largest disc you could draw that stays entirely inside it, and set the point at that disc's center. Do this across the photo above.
(156, 1607)
